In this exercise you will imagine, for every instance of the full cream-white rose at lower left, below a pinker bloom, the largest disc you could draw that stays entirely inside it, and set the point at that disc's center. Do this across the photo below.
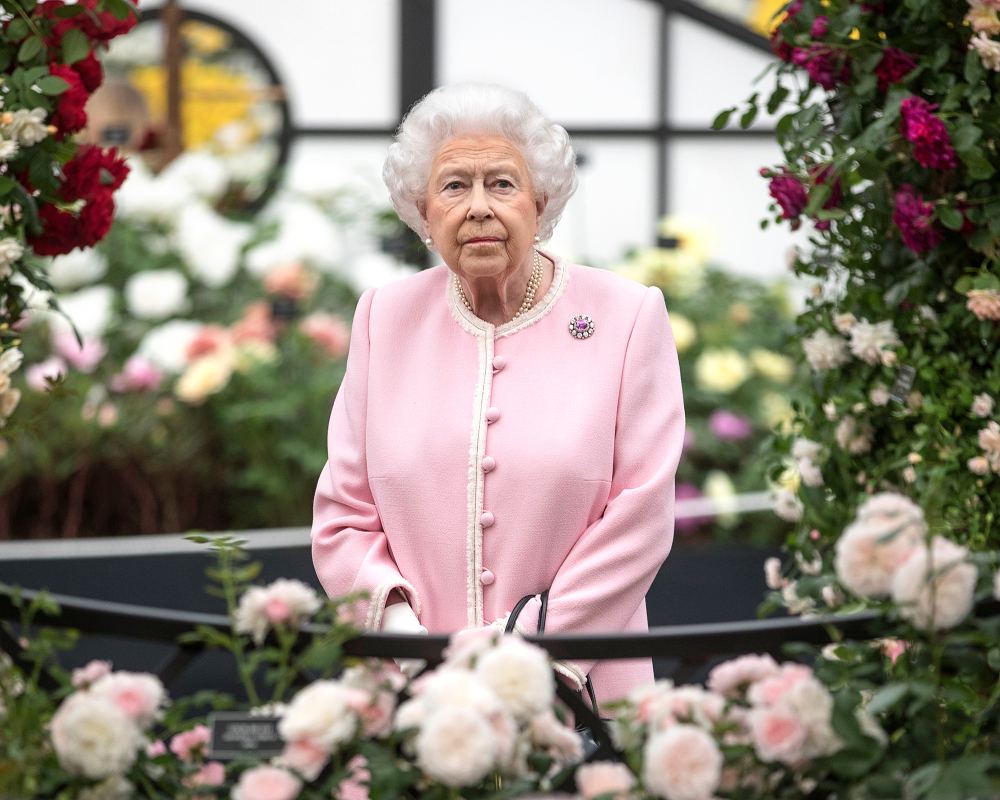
(94, 737)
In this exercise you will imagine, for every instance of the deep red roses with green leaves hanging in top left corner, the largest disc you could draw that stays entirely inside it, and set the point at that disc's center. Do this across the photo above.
(55, 195)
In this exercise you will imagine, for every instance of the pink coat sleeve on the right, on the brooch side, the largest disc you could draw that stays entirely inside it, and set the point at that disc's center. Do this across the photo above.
(606, 574)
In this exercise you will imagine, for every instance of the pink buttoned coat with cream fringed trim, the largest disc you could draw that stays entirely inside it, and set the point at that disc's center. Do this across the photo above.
(470, 464)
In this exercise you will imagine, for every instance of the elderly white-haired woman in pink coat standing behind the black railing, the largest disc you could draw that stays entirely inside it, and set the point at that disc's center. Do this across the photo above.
(509, 423)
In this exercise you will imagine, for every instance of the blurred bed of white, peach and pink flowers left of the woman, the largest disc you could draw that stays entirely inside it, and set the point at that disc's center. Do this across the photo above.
(210, 350)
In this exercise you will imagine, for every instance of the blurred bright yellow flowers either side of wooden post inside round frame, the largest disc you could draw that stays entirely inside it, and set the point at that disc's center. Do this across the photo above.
(214, 96)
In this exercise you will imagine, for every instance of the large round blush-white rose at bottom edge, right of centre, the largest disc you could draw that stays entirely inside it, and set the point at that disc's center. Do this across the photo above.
(682, 763)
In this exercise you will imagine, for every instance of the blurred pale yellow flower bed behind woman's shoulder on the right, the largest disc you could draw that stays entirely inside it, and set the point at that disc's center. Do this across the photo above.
(731, 334)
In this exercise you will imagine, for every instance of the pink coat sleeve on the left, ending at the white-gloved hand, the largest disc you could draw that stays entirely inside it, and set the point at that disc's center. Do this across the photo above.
(349, 548)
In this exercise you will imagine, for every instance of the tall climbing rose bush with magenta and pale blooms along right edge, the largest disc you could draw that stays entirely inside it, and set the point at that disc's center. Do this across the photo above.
(888, 469)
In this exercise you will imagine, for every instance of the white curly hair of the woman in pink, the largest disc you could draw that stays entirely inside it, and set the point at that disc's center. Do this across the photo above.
(479, 109)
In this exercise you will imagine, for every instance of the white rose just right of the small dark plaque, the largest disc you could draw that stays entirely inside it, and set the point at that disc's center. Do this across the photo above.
(321, 712)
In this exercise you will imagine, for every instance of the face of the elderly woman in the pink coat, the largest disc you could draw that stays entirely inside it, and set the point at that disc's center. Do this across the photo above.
(480, 208)
